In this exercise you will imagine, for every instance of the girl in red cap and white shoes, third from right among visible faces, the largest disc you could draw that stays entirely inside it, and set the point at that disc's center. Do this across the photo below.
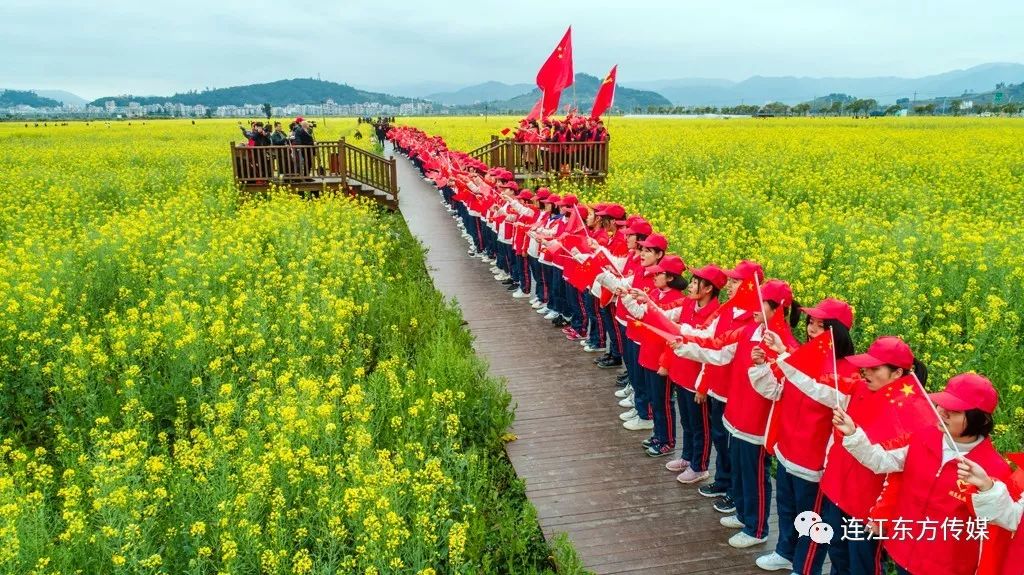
(802, 421)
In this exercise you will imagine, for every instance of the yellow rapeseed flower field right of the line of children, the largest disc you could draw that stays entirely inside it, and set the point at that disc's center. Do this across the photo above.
(918, 223)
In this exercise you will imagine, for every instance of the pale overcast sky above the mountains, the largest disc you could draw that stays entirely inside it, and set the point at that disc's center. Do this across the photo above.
(107, 48)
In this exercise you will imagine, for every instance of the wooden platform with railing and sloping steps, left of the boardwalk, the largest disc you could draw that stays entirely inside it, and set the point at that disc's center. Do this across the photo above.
(324, 167)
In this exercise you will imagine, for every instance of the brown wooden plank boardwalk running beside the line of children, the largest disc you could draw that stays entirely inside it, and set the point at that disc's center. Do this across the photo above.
(587, 476)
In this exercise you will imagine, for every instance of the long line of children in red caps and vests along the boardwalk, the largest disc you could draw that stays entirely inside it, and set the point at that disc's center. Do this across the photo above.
(864, 454)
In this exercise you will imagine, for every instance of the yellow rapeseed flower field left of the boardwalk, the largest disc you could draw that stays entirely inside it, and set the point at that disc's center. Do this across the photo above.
(196, 382)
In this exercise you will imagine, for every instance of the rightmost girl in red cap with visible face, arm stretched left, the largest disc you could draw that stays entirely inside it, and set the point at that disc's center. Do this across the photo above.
(930, 498)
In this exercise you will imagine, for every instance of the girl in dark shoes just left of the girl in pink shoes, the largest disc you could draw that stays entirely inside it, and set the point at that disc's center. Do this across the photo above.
(667, 294)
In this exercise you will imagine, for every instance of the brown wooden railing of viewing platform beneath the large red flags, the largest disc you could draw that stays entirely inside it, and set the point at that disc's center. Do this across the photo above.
(546, 161)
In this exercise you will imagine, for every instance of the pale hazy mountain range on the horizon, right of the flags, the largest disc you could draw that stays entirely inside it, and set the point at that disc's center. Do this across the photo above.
(762, 90)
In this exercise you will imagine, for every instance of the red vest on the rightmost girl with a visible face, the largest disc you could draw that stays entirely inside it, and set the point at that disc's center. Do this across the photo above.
(931, 491)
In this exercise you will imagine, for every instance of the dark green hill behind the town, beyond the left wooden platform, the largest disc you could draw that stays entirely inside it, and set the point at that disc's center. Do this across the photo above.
(282, 93)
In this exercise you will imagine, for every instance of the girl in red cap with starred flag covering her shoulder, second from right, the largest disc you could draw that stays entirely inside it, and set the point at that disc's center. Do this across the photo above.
(888, 404)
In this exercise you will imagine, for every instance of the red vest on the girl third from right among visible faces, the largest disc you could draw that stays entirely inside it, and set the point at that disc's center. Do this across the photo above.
(805, 426)
